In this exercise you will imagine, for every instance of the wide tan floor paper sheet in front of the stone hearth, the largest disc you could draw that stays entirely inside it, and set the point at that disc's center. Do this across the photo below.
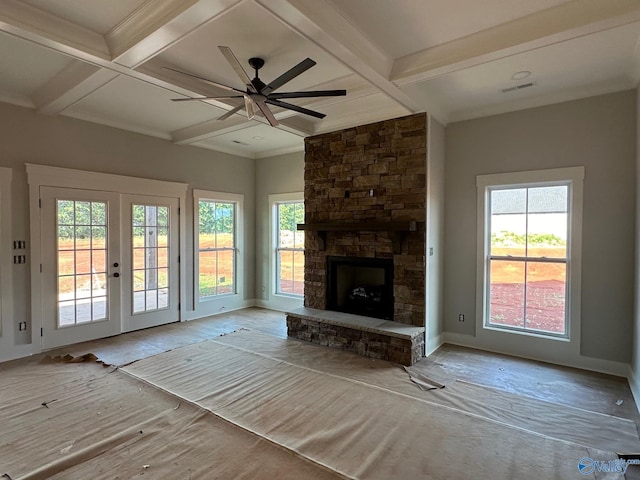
(367, 419)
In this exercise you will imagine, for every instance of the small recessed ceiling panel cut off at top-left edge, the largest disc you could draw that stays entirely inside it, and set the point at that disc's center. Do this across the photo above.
(99, 16)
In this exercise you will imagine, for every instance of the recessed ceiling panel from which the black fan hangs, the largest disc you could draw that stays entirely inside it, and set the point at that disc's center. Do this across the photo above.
(250, 31)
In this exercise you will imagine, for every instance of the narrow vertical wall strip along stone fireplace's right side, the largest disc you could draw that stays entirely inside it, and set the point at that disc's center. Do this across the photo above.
(435, 234)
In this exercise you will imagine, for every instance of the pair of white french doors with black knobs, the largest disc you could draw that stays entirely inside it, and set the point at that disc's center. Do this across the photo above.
(109, 264)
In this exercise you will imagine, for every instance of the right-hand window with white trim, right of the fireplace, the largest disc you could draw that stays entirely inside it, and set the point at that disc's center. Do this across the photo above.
(527, 245)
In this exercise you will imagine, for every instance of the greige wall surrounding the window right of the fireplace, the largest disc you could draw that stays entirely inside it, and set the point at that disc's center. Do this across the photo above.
(597, 132)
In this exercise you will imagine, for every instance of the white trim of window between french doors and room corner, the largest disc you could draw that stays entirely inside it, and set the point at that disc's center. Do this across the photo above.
(209, 305)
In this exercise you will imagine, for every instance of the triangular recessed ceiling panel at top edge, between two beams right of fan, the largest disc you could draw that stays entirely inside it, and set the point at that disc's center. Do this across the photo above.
(401, 27)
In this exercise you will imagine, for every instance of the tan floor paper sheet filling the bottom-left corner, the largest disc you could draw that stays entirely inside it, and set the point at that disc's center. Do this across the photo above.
(83, 421)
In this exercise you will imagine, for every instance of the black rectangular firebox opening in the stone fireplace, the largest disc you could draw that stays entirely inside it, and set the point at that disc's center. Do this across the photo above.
(362, 286)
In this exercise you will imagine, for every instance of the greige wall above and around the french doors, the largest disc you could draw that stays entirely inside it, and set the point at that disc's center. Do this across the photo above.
(28, 137)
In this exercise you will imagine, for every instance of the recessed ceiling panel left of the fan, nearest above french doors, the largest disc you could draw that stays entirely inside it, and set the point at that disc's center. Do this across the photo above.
(139, 106)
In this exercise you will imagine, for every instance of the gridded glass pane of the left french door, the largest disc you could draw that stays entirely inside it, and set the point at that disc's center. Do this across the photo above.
(81, 262)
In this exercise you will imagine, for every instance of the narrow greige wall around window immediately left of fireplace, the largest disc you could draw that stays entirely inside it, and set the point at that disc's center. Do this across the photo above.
(281, 174)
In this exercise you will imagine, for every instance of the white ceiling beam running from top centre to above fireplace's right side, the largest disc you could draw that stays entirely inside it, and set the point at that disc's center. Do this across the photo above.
(324, 25)
